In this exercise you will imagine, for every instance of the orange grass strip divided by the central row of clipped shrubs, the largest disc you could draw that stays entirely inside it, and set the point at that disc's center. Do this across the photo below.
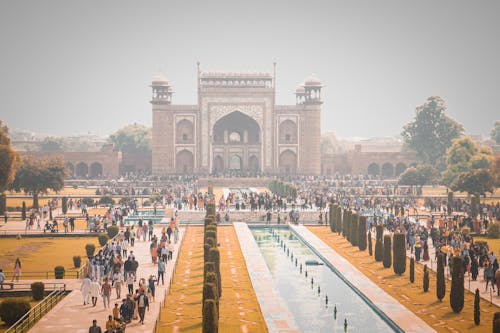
(239, 308)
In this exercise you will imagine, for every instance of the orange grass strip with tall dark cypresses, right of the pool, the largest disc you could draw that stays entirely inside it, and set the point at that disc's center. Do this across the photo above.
(436, 314)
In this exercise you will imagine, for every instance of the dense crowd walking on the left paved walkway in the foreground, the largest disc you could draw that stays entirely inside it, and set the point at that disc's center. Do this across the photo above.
(107, 270)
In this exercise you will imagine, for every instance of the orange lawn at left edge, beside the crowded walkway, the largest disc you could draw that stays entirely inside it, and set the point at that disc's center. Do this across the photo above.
(42, 254)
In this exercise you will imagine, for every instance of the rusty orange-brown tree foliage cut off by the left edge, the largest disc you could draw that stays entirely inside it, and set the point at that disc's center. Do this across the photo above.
(9, 158)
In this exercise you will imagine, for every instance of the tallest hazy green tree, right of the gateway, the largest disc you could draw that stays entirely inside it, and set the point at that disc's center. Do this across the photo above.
(431, 132)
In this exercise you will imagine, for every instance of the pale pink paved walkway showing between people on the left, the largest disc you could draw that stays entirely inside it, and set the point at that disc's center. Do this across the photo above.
(70, 315)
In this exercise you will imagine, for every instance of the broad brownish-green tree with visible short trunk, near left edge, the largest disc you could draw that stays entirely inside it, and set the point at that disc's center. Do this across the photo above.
(37, 177)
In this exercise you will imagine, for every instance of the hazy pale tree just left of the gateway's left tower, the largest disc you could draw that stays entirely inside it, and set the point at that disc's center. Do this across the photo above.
(133, 138)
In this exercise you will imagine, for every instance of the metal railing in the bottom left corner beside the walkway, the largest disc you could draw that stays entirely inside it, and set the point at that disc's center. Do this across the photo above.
(38, 311)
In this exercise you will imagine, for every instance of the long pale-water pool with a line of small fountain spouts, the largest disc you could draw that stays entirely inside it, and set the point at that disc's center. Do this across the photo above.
(305, 283)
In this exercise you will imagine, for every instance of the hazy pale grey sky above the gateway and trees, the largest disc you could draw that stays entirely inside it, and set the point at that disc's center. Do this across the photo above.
(72, 67)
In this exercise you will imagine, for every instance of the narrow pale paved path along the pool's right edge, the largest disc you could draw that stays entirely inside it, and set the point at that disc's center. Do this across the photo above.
(401, 316)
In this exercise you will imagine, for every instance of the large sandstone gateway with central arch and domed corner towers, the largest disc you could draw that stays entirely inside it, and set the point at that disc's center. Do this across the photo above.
(236, 127)
